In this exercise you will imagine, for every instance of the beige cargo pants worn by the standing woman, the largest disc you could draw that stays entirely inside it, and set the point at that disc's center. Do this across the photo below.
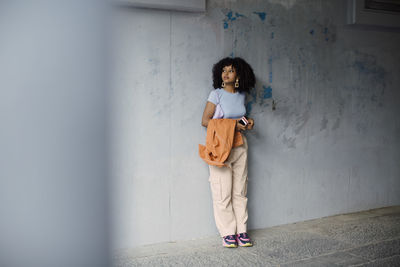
(229, 190)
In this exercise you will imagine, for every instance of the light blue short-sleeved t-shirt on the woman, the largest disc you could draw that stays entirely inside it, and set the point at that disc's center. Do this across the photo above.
(232, 104)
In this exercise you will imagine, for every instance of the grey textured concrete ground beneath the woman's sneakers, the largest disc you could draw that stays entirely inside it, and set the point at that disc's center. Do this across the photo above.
(368, 238)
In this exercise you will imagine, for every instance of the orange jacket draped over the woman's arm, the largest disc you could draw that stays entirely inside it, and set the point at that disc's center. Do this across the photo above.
(221, 138)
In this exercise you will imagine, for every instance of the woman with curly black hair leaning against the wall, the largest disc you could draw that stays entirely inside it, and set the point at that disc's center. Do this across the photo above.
(232, 79)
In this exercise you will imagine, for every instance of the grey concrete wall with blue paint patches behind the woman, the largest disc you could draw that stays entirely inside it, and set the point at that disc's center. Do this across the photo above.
(331, 146)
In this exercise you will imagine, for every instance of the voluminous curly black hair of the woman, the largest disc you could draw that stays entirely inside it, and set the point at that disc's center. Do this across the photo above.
(247, 79)
